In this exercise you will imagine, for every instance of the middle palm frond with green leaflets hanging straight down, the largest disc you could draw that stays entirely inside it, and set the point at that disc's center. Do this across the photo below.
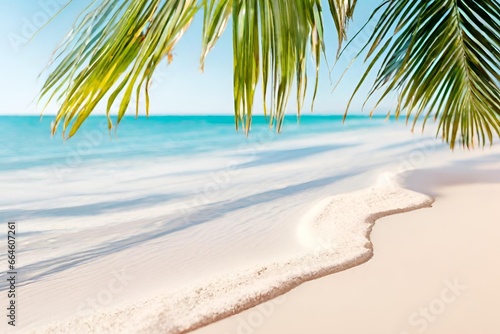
(278, 48)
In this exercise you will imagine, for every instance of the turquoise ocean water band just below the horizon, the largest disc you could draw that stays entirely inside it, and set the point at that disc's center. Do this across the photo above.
(25, 142)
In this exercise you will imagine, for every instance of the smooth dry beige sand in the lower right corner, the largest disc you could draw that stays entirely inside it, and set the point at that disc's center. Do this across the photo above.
(434, 270)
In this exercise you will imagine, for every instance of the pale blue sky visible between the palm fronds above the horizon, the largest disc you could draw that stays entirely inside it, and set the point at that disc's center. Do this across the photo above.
(181, 88)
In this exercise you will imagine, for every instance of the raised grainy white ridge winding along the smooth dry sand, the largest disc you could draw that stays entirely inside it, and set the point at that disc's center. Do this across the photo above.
(200, 305)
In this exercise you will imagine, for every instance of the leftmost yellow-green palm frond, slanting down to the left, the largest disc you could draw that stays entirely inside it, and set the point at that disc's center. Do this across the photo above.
(113, 52)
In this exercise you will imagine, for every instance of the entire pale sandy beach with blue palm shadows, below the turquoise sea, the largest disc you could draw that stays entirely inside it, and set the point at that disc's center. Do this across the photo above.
(302, 243)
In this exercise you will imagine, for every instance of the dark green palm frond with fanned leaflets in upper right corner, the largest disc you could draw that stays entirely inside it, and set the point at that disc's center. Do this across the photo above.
(442, 57)
